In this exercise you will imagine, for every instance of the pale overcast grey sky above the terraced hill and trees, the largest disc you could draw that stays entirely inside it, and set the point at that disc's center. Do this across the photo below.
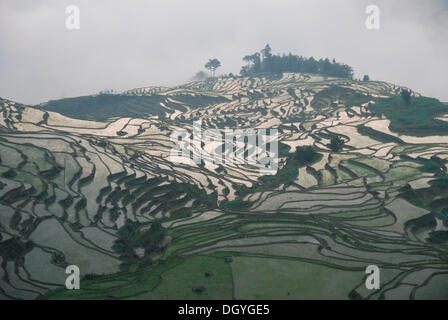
(136, 43)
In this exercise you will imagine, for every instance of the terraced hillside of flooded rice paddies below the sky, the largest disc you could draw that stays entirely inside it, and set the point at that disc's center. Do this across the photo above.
(88, 181)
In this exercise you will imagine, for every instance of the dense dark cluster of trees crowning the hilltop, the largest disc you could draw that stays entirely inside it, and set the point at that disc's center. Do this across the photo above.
(265, 61)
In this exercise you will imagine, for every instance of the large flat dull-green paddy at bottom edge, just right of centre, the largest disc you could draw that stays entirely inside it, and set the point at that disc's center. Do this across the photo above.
(265, 278)
